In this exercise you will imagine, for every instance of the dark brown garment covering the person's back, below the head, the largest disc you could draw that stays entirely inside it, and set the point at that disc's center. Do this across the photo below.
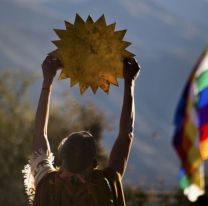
(103, 188)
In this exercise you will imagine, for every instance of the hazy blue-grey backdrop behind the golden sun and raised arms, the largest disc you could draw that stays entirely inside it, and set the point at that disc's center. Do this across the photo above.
(167, 38)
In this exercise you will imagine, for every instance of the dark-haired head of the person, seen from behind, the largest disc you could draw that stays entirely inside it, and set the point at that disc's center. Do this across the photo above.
(77, 151)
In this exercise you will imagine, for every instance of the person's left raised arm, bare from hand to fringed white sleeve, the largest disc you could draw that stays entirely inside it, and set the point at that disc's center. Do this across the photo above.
(40, 139)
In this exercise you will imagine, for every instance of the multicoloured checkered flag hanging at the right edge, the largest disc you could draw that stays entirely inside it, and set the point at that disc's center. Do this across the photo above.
(191, 134)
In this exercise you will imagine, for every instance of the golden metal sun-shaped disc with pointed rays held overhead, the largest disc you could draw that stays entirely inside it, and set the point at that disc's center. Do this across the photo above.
(92, 53)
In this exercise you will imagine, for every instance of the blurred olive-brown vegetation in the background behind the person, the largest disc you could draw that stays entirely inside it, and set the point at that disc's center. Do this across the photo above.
(16, 129)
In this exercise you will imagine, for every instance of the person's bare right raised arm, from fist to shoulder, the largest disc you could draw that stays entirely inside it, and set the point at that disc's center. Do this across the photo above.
(120, 151)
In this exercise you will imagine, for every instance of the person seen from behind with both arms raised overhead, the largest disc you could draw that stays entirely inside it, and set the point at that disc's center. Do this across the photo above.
(78, 182)
